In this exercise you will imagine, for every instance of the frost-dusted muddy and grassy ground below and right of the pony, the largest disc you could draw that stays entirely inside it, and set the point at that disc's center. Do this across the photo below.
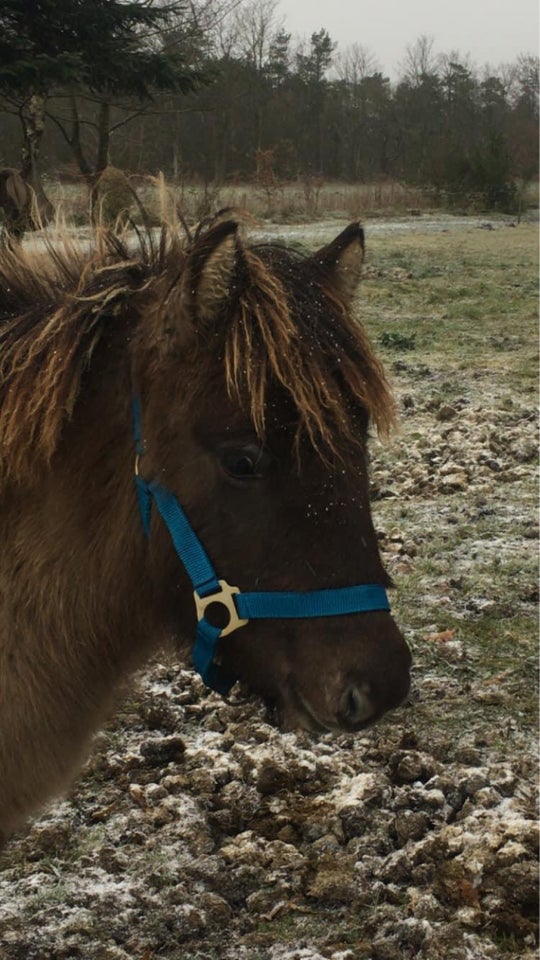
(197, 830)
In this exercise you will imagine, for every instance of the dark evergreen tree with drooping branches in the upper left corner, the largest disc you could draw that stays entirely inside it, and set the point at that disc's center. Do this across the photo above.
(109, 48)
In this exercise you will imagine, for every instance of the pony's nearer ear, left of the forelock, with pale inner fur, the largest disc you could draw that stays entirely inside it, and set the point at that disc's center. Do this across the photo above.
(211, 270)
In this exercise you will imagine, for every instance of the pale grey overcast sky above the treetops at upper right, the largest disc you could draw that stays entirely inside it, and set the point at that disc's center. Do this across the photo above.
(491, 31)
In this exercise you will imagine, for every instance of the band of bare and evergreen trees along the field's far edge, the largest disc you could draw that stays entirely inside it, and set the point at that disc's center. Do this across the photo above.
(219, 90)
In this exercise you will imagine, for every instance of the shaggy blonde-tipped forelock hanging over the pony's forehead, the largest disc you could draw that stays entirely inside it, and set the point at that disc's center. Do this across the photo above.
(292, 330)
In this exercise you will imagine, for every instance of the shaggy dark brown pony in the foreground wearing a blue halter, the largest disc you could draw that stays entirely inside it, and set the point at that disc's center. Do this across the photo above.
(256, 387)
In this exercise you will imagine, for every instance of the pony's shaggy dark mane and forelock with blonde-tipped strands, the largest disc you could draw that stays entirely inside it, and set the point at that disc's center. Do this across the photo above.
(56, 304)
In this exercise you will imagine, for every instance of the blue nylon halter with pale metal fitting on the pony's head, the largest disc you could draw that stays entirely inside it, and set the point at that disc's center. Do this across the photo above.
(241, 607)
